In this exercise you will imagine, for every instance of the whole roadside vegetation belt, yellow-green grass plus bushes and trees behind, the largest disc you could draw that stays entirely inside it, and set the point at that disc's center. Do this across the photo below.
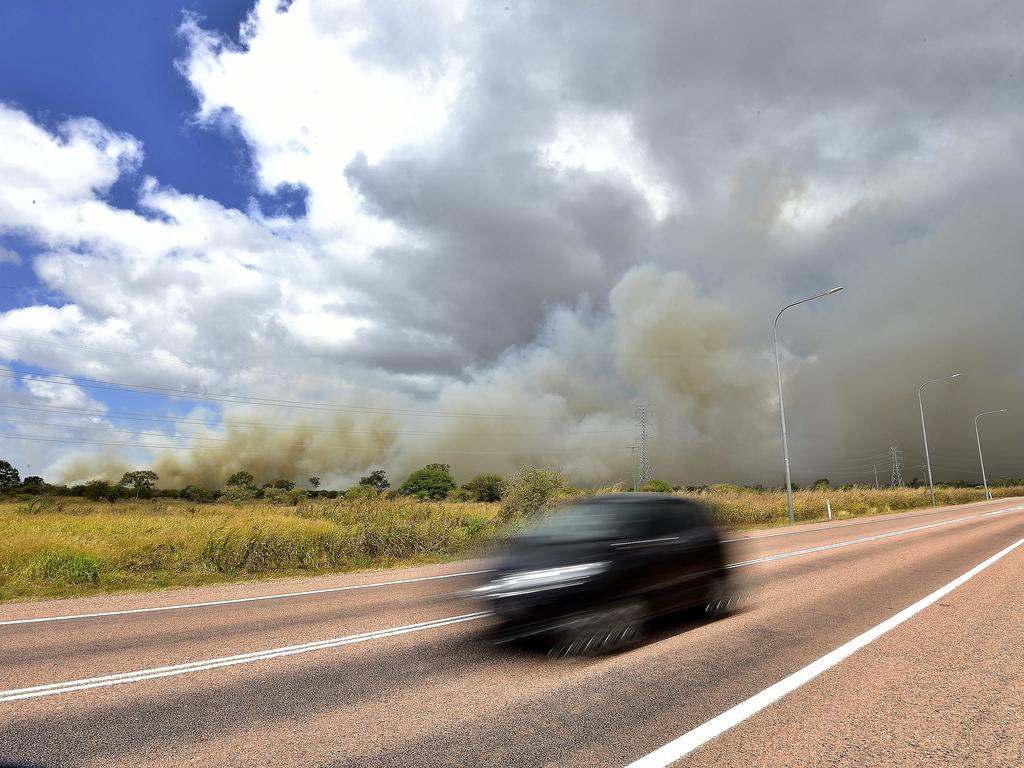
(58, 541)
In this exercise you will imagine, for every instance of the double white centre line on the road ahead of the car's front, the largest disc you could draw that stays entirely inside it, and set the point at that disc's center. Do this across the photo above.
(212, 664)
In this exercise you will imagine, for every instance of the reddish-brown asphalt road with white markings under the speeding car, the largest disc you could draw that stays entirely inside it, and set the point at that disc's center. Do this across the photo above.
(365, 674)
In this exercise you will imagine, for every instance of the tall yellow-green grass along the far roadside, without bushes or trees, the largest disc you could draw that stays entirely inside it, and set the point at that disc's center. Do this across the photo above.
(61, 547)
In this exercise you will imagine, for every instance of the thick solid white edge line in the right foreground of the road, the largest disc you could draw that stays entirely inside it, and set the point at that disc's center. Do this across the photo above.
(690, 742)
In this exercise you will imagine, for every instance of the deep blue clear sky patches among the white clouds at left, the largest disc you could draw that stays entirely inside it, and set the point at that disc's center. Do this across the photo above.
(65, 61)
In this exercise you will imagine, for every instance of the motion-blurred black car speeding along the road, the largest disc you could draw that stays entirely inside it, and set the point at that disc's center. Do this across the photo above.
(589, 578)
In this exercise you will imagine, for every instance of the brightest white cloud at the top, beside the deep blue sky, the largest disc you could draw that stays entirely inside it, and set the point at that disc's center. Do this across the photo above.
(309, 105)
